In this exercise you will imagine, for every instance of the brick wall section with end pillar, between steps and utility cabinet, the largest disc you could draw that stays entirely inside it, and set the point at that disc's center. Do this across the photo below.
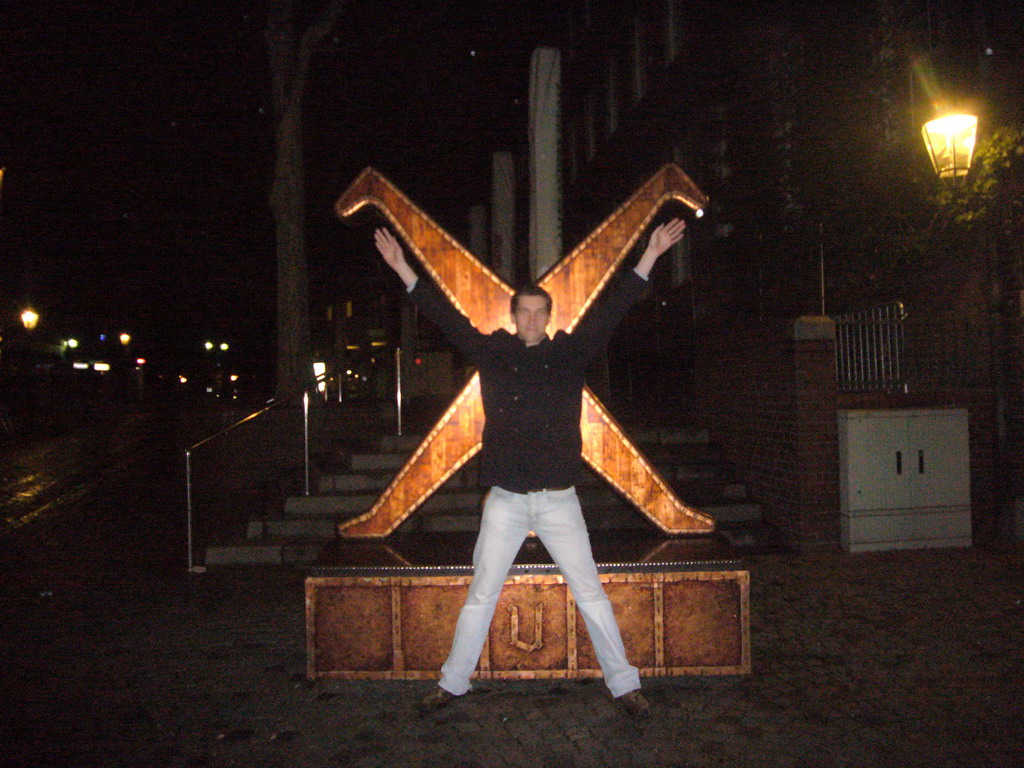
(769, 393)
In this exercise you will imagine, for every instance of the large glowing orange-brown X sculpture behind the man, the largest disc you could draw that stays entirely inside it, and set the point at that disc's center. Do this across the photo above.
(574, 284)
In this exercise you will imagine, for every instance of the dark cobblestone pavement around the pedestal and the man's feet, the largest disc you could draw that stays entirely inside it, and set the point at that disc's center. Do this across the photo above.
(114, 657)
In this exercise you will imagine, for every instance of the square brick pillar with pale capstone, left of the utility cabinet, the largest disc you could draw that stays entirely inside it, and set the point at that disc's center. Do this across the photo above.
(816, 436)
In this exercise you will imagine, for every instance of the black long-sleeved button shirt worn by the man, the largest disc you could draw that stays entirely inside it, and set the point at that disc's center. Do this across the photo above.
(533, 396)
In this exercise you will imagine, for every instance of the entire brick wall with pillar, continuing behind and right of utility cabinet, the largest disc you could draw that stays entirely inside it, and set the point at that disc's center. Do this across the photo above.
(770, 396)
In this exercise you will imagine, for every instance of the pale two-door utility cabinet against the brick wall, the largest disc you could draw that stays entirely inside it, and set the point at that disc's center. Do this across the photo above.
(905, 480)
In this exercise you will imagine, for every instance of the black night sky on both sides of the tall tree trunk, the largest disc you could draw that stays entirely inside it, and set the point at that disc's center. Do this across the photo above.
(138, 142)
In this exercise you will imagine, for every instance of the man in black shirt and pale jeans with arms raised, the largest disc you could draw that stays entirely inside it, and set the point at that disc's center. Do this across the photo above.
(532, 387)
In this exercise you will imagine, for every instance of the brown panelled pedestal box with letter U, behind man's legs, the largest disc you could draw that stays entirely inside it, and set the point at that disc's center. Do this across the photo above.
(398, 623)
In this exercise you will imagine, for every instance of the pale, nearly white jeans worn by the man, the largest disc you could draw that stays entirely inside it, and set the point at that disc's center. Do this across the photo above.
(557, 519)
